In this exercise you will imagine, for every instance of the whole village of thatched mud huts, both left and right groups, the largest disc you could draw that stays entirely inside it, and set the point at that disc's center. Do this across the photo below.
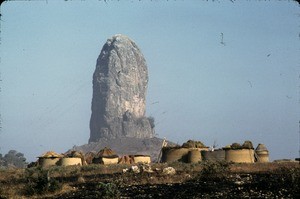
(190, 152)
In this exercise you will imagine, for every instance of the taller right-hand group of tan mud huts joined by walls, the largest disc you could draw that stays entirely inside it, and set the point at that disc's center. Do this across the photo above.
(195, 151)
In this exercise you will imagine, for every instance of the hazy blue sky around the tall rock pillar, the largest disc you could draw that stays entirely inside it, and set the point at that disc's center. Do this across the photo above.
(247, 89)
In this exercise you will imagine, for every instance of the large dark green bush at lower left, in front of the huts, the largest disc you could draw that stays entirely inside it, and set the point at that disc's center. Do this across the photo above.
(39, 182)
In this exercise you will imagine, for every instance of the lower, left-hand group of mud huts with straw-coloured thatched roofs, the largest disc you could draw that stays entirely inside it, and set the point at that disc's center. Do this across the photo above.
(104, 156)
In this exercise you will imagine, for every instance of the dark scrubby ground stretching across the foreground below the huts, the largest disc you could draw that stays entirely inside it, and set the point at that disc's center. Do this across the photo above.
(201, 180)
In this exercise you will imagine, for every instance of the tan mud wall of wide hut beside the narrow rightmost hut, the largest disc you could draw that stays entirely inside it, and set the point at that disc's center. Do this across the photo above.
(240, 155)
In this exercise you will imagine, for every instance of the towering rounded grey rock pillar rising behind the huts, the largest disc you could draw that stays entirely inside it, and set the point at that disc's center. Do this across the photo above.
(119, 91)
